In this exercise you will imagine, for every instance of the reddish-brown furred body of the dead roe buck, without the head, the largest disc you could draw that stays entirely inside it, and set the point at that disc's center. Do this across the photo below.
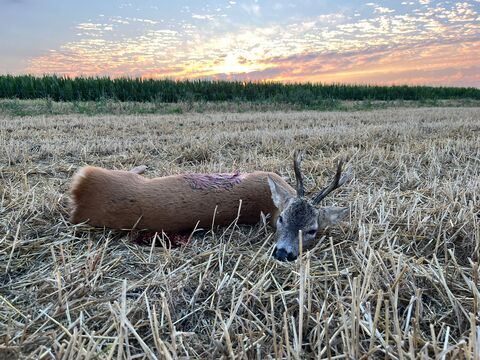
(124, 200)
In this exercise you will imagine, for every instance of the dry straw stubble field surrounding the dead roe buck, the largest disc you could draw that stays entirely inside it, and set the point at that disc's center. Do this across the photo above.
(398, 280)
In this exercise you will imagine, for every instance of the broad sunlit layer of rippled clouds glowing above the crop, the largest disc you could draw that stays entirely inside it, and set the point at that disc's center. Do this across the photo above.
(439, 41)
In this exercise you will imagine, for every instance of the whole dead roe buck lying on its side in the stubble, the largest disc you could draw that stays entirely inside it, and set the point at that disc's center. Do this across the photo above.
(178, 203)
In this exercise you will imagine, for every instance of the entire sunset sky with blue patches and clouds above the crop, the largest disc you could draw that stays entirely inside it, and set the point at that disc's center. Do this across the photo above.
(424, 42)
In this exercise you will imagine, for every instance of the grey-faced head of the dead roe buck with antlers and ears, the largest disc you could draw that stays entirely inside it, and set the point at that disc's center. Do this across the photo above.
(298, 213)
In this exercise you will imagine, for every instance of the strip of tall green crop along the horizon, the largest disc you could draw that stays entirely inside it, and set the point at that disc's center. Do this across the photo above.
(170, 91)
